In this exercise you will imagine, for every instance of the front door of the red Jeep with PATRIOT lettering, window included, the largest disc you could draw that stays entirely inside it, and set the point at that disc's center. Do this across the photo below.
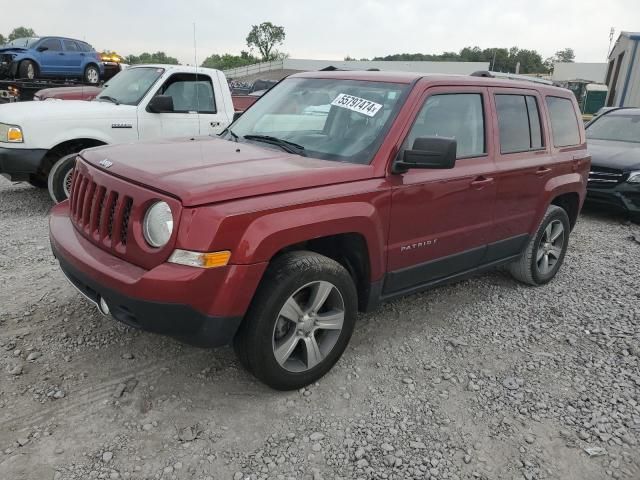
(441, 219)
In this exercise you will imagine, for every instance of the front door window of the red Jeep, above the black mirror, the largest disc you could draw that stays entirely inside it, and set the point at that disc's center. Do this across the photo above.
(452, 115)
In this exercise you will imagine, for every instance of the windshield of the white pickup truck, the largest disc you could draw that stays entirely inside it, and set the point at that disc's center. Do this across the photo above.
(130, 86)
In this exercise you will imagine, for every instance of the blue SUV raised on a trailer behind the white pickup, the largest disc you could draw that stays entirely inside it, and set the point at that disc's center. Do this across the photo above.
(31, 58)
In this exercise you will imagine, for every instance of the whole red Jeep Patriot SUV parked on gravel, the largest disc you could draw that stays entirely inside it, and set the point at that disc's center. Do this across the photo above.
(334, 192)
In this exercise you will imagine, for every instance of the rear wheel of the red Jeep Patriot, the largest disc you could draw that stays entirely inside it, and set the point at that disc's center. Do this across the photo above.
(529, 268)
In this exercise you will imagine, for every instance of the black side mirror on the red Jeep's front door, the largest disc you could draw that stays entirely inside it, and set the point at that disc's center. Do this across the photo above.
(428, 152)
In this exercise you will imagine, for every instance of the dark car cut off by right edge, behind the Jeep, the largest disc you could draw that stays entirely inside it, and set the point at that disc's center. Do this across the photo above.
(614, 145)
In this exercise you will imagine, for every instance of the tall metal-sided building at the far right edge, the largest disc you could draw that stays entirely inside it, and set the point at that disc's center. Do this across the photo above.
(623, 71)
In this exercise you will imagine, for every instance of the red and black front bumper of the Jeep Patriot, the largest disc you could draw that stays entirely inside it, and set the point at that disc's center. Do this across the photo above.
(203, 307)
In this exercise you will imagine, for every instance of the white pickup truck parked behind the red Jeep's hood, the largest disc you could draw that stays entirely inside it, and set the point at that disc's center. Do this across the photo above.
(39, 140)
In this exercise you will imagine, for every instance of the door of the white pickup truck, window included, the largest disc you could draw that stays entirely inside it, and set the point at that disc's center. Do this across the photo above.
(195, 111)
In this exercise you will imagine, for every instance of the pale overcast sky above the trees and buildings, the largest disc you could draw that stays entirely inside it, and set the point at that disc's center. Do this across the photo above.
(333, 29)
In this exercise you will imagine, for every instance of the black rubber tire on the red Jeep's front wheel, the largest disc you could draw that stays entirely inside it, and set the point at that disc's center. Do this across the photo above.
(255, 341)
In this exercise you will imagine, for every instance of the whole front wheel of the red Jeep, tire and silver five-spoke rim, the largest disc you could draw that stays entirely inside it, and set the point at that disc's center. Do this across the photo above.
(300, 321)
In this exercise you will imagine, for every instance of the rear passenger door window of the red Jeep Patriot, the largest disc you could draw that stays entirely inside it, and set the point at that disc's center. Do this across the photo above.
(519, 123)
